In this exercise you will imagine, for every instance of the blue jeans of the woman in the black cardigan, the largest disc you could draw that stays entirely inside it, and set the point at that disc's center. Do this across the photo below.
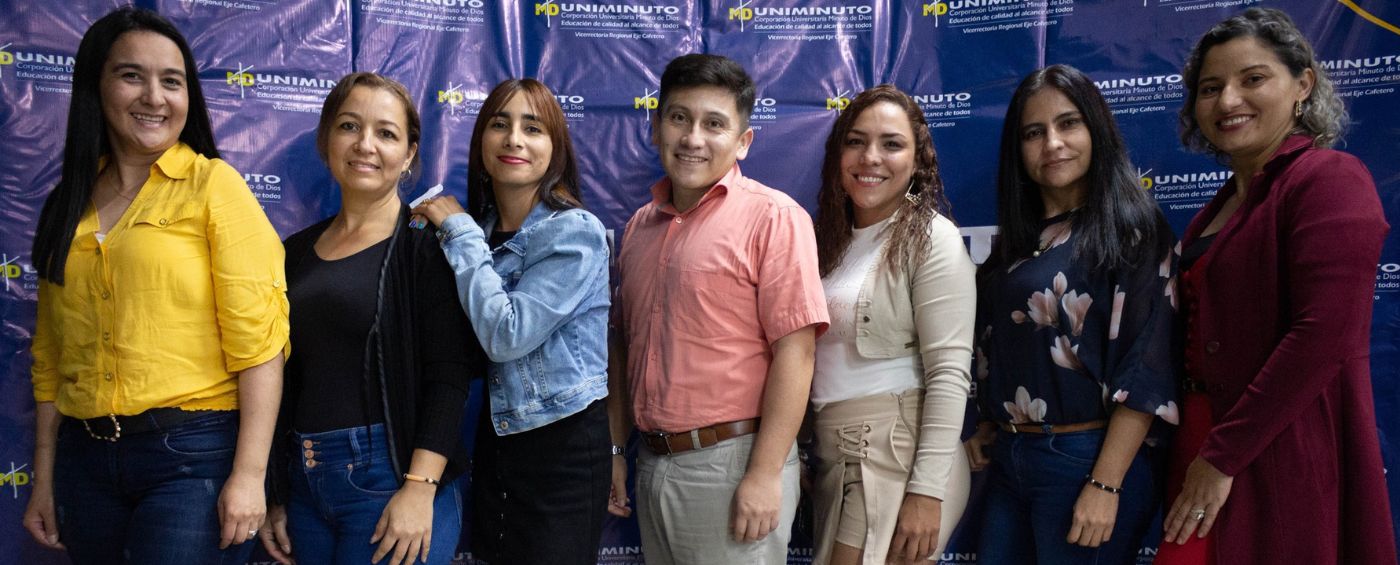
(341, 483)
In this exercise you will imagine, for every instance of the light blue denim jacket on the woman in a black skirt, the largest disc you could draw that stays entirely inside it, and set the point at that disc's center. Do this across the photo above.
(540, 307)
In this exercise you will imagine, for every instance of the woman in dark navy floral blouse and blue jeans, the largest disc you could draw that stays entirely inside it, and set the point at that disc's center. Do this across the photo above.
(1074, 325)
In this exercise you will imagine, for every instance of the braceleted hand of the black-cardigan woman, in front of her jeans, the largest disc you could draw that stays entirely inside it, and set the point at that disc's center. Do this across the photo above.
(407, 525)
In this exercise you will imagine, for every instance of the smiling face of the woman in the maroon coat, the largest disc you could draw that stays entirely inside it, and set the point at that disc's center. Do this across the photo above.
(1245, 100)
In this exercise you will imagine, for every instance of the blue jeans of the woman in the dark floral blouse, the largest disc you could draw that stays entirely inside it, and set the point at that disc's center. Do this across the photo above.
(1031, 494)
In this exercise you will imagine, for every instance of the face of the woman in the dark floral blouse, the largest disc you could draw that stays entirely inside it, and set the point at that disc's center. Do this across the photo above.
(1056, 146)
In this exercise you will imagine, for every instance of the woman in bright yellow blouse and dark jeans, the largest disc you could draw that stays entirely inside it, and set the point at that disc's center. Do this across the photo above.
(163, 320)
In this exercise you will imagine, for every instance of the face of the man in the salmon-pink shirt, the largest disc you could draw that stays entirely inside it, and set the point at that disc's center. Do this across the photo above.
(701, 136)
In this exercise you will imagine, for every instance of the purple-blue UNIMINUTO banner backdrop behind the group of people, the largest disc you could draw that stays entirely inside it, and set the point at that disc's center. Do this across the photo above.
(267, 66)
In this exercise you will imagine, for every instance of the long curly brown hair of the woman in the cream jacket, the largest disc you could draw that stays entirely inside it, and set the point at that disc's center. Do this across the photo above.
(836, 215)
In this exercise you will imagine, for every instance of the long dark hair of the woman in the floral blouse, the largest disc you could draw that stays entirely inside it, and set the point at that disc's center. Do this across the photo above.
(1119, 223)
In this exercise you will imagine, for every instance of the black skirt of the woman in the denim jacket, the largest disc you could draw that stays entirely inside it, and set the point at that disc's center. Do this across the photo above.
(540, 497)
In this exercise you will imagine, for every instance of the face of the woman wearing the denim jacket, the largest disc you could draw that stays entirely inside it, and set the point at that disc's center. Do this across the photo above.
(516, 148)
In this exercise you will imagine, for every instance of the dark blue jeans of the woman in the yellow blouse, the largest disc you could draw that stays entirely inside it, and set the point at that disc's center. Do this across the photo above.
(146, 499)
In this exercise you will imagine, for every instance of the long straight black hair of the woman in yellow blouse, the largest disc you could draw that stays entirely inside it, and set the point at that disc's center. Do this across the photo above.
(86, 139)
